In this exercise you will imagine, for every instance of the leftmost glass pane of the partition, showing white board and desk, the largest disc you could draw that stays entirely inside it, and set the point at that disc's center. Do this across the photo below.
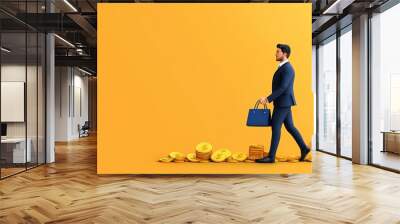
(14, 153)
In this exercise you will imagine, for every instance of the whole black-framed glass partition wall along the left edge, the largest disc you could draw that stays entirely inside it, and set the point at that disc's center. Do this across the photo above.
(22, 63)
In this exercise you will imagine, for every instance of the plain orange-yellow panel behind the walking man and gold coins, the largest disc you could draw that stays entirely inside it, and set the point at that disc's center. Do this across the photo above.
(173, 75)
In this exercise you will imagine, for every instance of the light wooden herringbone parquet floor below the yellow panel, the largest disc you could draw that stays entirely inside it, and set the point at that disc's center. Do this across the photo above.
(69, 191)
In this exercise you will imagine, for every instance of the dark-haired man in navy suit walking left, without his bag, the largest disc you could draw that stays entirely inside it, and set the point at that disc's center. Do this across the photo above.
(283, 98)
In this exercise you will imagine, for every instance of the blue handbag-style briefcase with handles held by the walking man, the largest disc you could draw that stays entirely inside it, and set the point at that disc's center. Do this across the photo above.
(259, 117)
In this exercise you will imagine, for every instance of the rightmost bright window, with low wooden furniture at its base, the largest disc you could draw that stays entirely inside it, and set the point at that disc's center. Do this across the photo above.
(385, 89)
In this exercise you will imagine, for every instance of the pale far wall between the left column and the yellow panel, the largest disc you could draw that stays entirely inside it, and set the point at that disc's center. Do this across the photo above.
(71, 92)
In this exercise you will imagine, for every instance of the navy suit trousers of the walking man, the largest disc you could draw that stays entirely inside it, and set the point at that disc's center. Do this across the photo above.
(284, 115)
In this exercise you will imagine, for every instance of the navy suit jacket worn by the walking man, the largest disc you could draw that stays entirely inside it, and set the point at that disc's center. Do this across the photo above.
(282, 87)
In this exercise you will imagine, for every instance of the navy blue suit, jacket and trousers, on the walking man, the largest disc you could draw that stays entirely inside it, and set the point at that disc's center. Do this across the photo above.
(283, 98)
